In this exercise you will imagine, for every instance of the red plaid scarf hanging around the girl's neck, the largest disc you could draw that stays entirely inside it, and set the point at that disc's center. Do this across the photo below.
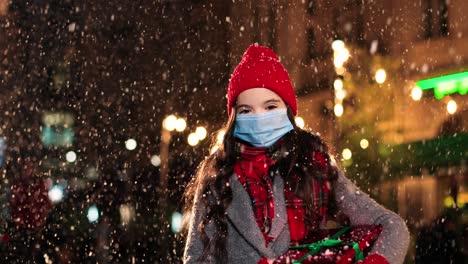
(252, 169)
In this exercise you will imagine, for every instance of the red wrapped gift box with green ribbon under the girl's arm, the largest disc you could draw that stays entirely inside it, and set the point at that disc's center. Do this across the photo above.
(344, 245)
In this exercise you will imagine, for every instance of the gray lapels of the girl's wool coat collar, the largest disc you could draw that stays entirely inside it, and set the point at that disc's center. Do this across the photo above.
(240, 214)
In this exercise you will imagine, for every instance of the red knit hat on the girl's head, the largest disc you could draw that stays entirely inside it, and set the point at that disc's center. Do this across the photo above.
(261, 68)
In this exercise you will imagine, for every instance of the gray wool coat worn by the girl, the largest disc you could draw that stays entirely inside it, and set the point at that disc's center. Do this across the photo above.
(246, 244)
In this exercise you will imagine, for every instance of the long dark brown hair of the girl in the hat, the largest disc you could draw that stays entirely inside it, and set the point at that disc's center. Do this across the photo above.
(210, 182)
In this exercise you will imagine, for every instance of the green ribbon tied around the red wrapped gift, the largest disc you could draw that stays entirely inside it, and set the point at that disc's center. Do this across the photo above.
(332, 241)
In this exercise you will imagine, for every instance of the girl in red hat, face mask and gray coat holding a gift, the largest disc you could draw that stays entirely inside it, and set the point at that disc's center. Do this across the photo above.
(271, 183)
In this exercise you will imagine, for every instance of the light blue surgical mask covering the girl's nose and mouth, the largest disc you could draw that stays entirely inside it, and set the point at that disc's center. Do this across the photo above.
(264, 129)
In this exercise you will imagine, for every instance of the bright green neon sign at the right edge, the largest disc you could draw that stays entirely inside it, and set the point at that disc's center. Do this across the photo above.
(447, 84)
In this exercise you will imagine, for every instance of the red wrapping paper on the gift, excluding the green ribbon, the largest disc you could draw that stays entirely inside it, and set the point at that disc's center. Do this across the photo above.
(364, 236)
